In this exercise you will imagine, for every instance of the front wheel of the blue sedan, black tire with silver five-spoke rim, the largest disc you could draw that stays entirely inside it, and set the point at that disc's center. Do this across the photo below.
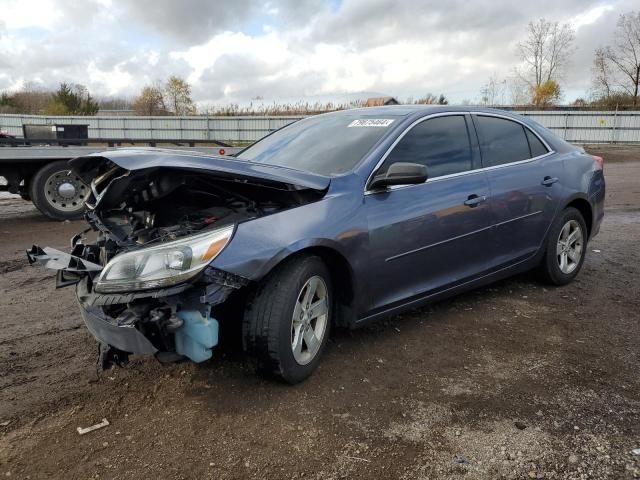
(270, 331)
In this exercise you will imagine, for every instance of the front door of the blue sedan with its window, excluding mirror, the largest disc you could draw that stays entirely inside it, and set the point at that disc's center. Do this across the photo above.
(430, 236)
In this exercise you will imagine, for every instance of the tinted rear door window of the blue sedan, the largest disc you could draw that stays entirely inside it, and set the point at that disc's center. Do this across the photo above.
(501, 141)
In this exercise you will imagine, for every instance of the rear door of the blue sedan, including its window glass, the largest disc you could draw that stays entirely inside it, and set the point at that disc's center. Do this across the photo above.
(524, 180)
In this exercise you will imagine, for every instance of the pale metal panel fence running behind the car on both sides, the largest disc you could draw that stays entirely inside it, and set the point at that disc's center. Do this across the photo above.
(573, 126)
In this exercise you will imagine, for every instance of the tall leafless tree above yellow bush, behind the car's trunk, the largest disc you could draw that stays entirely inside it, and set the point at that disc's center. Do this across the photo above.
(546, 51)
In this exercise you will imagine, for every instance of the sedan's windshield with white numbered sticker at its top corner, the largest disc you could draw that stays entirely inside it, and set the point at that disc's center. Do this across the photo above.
(326, 144)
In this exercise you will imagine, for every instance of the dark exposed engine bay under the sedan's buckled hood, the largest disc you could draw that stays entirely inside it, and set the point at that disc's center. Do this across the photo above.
(138, 210)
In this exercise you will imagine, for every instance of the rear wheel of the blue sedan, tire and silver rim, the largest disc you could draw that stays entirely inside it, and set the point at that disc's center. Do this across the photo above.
(552, 269)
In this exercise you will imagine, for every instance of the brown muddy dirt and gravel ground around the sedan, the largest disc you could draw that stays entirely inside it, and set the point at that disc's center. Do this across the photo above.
(517, 380)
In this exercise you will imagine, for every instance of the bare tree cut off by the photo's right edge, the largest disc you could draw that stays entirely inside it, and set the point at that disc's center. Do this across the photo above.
(624, 55)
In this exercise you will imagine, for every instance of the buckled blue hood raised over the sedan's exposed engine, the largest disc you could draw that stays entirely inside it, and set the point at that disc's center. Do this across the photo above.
(90, 166)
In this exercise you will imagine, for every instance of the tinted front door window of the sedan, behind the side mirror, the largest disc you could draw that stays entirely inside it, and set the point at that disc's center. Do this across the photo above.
(441, 144)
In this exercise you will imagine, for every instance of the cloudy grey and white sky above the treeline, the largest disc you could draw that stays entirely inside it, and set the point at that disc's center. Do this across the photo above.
(234, 50)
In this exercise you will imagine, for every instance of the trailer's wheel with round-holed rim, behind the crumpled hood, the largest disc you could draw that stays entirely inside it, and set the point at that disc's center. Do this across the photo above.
(58, 193)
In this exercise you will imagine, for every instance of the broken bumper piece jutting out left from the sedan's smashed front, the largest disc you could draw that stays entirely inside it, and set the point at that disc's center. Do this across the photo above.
(70, 268)
